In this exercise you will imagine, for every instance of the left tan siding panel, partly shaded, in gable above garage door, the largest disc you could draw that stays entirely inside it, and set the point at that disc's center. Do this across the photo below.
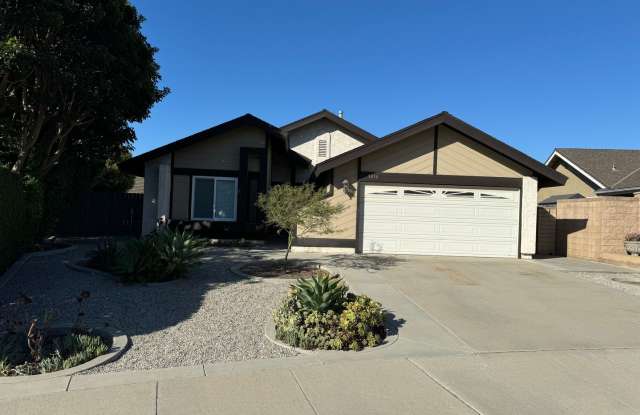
(413, 155)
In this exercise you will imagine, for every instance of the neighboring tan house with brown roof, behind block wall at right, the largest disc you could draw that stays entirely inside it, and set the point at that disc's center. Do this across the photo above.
(593, 172)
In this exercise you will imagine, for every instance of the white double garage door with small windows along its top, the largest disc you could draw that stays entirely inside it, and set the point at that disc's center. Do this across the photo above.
(440, 221)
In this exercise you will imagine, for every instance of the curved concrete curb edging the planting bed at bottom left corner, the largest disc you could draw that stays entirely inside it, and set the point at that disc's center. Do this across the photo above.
(120, 343)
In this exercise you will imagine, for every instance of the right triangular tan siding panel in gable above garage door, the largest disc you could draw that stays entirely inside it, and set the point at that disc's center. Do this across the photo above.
(460, 156)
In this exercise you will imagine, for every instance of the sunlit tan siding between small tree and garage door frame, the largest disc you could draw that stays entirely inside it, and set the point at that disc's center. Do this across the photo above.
(345, 222)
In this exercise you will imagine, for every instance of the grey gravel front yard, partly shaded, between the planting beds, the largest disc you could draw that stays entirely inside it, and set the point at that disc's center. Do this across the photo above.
(211, 316)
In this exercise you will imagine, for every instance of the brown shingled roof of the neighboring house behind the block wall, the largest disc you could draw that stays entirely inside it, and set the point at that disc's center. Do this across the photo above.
(608, 169)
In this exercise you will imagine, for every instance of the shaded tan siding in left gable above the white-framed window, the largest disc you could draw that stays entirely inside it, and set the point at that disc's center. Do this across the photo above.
(221, 152)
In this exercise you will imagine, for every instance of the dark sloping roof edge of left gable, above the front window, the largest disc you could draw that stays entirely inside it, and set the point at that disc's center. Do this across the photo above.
(135, 165)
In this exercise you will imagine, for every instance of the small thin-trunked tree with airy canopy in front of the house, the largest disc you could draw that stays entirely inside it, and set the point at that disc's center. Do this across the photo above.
(298, 211)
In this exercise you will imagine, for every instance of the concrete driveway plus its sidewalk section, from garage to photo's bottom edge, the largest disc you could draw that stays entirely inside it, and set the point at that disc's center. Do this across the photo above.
(515, 336)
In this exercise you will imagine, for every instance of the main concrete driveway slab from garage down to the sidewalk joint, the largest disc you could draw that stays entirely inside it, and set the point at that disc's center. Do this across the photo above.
(511, 305)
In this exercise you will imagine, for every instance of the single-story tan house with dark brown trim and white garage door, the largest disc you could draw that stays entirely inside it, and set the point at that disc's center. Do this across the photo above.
(437, 187)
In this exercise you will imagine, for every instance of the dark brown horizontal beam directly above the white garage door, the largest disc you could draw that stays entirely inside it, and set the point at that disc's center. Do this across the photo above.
(444, 180)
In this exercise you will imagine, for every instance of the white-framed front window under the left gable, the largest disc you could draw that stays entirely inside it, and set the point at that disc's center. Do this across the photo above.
(214, 198)
